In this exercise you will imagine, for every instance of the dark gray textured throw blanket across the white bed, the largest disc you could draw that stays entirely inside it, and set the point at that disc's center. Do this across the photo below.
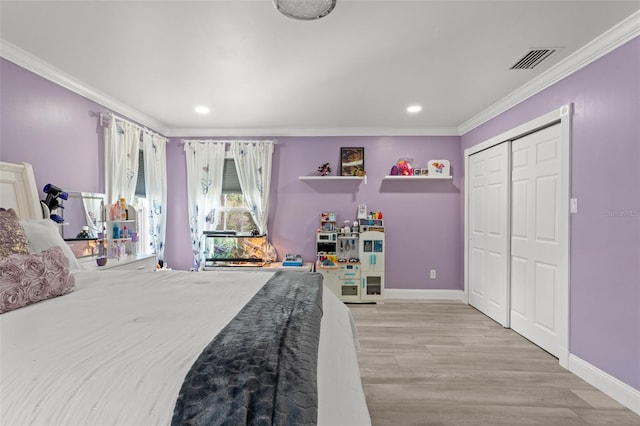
(261, 369)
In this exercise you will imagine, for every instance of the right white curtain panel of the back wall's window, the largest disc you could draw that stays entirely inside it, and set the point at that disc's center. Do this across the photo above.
(253, 164)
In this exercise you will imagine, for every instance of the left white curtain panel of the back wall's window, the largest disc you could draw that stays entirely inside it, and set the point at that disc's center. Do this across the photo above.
(205, 165)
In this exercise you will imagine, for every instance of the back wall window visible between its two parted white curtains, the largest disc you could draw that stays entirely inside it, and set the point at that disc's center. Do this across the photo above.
(234, 213)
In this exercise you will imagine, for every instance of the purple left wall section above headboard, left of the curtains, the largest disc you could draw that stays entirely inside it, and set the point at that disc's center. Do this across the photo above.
(50, 127)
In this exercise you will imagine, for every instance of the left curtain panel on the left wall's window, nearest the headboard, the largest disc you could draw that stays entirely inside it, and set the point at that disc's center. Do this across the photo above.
(121, 145)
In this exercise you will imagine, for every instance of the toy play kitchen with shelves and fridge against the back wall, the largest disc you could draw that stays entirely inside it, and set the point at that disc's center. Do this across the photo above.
(351, 257)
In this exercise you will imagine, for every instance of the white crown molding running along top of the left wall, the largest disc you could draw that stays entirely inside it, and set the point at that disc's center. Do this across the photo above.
(45, 70)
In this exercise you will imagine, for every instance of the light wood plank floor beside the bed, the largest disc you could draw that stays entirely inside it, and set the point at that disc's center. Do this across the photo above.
(444, 363)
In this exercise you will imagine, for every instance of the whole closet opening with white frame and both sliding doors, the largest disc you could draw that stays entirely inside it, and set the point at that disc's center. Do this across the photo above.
(517, 230)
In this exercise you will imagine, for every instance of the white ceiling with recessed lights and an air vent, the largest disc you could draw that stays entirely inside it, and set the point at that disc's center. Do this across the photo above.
(352, 72)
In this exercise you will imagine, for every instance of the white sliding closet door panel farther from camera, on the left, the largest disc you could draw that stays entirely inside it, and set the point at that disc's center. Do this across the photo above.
(489, 232)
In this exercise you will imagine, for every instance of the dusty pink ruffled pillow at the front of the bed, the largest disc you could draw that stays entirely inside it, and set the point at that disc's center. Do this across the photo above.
(31, 278)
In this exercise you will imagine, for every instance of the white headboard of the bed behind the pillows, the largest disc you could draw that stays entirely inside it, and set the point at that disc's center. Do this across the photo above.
(18, 190)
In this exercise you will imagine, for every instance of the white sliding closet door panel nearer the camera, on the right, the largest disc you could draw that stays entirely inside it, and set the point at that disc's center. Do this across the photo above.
(537, 242)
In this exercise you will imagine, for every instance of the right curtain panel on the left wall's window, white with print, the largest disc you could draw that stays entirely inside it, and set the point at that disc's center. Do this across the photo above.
(155, 180)
